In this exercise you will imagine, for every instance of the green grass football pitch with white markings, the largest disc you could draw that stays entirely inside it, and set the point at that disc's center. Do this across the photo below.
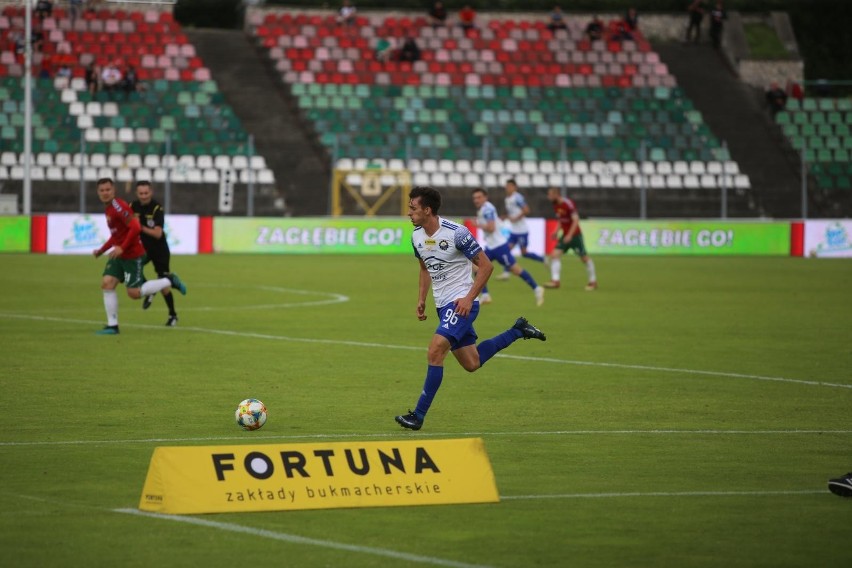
(688, 413)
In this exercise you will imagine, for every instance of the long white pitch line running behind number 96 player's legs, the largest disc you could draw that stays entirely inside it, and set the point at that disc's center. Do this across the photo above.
(409, 348)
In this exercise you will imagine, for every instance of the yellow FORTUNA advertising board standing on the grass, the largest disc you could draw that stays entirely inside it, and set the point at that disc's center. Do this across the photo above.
(276, 477)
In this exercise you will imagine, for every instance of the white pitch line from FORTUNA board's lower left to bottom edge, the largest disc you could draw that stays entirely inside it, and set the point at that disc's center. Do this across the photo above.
(296, 539)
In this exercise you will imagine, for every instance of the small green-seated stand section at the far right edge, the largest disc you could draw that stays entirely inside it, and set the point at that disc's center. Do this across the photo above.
(820, 128)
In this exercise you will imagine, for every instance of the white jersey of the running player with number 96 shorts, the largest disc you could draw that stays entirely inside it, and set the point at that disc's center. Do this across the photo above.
(447, 255)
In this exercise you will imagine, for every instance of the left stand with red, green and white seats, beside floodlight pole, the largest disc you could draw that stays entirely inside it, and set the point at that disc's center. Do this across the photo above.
(126, 134)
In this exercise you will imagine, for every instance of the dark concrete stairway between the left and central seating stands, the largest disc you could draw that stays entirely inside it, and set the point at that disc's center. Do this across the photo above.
(264, 106)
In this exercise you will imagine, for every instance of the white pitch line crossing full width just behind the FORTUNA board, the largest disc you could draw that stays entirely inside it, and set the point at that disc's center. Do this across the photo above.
(396, 434)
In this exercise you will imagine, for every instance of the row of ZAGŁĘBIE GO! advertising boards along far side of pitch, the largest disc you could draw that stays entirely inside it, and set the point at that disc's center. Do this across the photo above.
(74, 233)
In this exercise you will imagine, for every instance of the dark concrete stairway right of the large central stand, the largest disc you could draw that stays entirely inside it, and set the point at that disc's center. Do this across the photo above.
(736, 114)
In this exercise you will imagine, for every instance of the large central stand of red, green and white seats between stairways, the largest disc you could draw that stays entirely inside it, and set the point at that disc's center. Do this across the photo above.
(510, 98)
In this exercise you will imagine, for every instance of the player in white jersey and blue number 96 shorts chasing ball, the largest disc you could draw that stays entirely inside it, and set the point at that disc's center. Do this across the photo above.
(447, 252)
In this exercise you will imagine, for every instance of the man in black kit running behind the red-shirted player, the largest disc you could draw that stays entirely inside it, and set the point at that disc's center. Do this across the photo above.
(152, 218)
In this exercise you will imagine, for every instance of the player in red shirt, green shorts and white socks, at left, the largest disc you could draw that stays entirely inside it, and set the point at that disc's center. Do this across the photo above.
(126, 258)
